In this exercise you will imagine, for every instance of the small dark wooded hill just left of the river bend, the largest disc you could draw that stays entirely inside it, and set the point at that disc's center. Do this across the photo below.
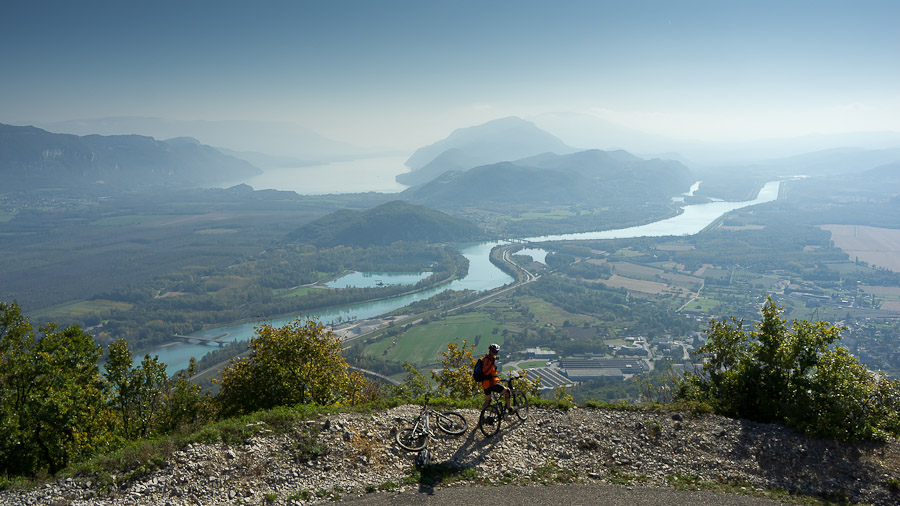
(386, 224)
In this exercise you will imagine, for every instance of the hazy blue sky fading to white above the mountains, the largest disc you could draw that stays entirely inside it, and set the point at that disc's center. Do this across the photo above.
(404, 74)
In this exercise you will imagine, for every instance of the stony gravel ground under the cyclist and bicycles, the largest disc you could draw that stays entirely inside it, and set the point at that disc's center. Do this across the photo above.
(580, 445)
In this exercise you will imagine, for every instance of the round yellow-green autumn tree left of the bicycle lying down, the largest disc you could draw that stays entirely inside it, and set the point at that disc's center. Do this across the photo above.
(299, 363)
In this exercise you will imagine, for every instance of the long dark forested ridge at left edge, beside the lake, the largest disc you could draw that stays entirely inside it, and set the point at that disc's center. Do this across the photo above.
(33, 158)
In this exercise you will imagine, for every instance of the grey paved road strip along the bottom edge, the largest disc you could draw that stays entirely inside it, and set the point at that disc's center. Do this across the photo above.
(561, 495)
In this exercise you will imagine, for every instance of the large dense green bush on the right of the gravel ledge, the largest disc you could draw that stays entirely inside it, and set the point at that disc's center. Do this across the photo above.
(792, 374)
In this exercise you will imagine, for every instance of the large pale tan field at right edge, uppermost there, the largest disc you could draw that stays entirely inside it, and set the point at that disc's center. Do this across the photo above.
(876, 246)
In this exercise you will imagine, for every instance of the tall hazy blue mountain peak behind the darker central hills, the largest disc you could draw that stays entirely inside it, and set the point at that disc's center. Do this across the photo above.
(500, 140)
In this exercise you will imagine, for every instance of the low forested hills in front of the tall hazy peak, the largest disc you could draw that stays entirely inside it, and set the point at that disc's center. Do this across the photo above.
(588, 177)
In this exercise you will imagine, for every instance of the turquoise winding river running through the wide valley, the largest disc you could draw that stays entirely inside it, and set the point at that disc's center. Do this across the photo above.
(482, 275)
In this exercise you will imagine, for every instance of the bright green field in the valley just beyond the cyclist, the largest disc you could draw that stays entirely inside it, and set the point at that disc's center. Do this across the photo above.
(422, 344)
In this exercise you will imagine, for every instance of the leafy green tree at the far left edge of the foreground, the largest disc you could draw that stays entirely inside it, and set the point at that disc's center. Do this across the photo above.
(52, 408)
